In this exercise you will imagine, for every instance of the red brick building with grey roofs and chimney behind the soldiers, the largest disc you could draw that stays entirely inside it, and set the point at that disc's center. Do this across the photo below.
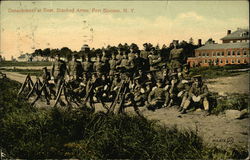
(233, 50)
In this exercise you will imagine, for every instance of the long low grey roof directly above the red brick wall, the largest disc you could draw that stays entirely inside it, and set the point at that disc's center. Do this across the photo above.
(225, 46)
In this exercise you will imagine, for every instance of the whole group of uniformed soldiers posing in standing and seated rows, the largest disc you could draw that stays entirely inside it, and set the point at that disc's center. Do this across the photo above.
(133, 79)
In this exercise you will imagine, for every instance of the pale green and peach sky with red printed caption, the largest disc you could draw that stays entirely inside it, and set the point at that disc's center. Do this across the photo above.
(29, 25)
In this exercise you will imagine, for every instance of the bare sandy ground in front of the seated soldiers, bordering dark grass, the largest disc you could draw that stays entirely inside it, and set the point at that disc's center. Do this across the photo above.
(215, 130)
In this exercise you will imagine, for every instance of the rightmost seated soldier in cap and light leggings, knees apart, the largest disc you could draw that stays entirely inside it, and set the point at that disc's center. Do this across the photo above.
(198, 93)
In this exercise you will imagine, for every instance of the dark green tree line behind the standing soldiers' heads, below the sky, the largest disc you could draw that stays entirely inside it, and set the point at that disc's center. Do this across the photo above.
(163, 51)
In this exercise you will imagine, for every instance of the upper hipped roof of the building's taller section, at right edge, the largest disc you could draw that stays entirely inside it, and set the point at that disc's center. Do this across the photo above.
(238, 34)
